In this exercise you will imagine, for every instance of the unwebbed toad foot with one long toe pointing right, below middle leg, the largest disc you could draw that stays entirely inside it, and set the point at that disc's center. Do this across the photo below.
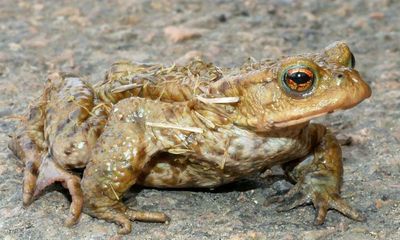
(123, 216)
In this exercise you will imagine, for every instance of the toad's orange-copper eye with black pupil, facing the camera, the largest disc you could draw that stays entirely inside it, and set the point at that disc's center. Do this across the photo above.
(299, 79)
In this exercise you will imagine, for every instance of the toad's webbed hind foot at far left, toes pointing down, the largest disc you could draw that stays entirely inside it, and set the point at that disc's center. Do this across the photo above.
(50, 172)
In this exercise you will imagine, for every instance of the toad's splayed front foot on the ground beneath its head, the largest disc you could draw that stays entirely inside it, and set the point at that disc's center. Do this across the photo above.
(318, 190)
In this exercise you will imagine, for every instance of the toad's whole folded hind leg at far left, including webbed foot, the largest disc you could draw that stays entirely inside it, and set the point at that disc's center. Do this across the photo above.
(57, 135)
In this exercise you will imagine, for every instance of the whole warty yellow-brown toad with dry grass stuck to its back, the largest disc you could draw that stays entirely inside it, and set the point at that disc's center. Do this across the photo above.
(190, 126)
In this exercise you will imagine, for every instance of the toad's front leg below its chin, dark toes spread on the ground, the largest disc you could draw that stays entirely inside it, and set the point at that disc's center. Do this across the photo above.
(318, 178)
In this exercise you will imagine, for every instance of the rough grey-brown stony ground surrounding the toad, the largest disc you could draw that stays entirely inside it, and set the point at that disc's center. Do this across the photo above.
(38, 37)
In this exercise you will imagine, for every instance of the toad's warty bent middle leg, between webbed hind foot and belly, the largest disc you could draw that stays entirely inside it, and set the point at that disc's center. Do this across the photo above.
(117, 161)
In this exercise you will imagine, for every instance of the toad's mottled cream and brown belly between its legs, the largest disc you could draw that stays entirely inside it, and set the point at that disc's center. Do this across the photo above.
(214, 163)
